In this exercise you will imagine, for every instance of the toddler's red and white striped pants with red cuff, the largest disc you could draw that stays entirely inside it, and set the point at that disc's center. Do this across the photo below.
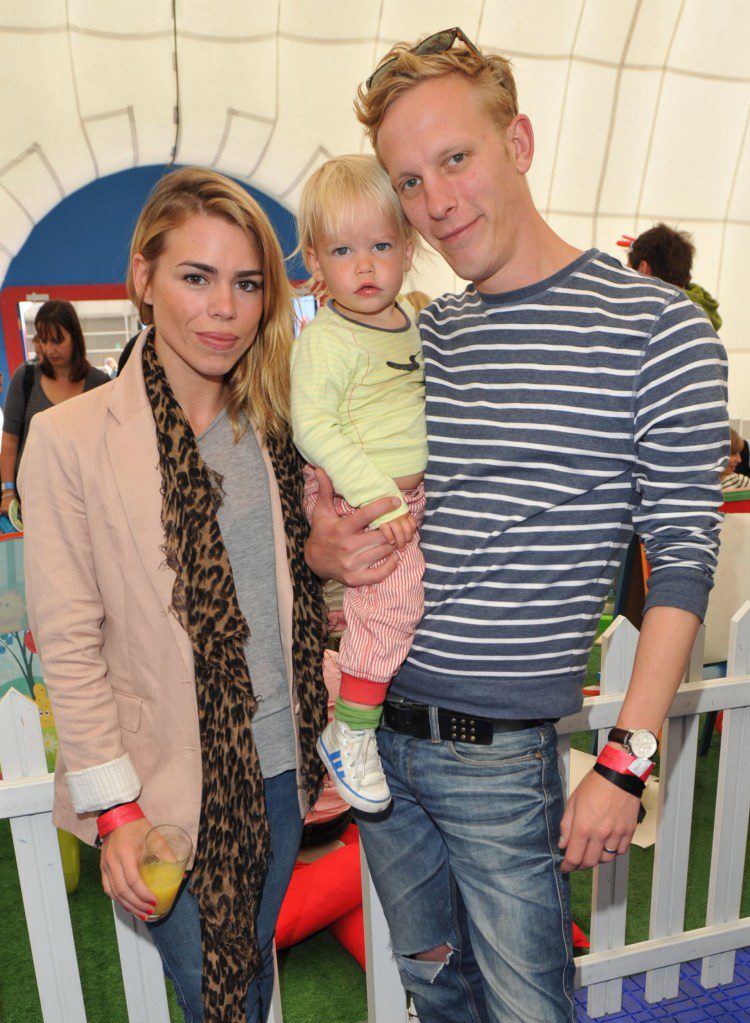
(381, 618)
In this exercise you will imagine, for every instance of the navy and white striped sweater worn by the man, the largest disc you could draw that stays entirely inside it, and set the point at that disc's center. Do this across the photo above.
(559, 417)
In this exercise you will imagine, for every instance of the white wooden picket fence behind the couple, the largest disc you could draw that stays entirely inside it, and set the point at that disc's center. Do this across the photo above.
(26, 798)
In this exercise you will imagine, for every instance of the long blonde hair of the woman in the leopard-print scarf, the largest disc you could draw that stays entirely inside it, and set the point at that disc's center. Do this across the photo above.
(259, 383)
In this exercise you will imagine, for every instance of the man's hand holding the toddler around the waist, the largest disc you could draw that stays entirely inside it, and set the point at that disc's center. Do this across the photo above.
(345, 549)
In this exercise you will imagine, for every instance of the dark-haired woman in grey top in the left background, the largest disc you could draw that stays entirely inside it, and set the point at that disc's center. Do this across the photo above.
(63, 373)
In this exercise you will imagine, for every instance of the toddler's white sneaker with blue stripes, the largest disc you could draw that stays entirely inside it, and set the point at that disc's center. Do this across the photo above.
(352, 762)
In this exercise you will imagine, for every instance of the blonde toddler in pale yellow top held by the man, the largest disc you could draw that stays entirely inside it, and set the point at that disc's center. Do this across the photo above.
(359, 413)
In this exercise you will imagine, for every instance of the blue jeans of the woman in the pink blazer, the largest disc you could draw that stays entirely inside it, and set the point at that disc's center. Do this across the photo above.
(179, 937)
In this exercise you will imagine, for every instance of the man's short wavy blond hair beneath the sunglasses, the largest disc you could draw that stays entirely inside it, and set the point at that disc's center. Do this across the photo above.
(492, 75)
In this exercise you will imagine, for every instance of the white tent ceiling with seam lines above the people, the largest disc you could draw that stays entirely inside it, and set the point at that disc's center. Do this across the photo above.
(641, 109)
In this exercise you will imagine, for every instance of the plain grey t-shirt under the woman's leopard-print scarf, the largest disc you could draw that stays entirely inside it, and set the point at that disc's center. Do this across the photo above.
(245, 520)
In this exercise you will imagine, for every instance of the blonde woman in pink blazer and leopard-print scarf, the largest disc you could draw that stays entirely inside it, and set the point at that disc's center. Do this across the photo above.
(180, 629)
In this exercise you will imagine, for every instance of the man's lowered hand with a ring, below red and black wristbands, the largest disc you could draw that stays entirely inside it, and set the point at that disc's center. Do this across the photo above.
(598, 816)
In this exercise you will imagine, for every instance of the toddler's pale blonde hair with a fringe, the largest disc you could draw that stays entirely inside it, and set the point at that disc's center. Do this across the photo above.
(331, 195)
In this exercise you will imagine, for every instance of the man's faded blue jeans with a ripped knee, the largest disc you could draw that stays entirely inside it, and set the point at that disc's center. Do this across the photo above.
(469, 859)
